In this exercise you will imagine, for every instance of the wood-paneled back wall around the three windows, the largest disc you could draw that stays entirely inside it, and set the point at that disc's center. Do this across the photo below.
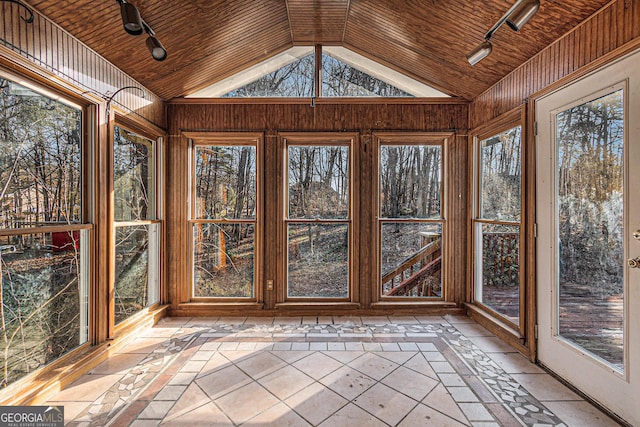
(271, 118)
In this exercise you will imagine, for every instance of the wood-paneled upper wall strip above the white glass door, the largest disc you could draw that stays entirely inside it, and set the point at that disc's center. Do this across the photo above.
(612, 27)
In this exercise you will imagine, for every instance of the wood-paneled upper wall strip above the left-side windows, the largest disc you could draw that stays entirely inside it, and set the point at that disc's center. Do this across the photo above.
(45, 44)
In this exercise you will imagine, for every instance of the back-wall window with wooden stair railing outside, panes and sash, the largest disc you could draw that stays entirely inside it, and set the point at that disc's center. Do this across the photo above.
(410, 215)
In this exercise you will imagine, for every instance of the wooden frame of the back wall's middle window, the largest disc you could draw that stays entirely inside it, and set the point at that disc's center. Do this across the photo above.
(327, 139)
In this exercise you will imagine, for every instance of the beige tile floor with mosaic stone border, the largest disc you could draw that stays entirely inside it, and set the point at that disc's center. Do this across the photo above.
(321, 371)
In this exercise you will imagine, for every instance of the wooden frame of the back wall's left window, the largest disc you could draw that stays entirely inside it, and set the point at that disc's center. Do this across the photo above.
(253, 139)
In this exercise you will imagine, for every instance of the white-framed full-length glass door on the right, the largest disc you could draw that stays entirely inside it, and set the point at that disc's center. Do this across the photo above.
(588, 207)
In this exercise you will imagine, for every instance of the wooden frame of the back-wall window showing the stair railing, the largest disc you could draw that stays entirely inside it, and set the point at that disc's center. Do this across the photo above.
(402, 139)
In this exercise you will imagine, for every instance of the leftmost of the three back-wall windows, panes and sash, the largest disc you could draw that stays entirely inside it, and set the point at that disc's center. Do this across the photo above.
(225, 216)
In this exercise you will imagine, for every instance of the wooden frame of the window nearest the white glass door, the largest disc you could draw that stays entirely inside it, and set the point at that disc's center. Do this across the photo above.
(503, 123)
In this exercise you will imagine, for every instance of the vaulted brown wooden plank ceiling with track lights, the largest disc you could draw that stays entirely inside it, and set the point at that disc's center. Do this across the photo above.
(208, 40)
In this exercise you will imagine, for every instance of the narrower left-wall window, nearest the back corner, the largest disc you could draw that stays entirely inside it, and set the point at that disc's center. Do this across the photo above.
(137, 228)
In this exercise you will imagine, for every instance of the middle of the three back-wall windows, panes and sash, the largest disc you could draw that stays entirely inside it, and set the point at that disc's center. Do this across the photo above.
(318, 214)
